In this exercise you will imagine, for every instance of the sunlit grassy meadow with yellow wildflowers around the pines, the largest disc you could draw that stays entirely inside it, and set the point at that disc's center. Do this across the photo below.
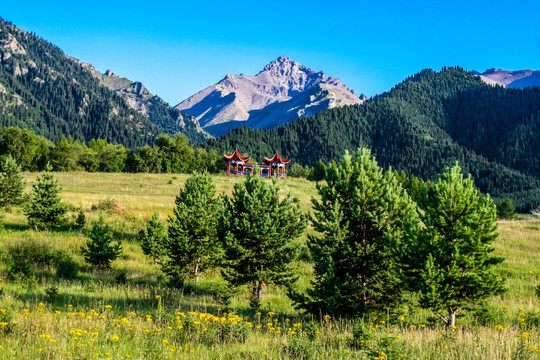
(129, 312)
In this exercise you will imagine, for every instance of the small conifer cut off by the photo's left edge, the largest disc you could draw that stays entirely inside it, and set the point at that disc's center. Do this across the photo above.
(11, 183)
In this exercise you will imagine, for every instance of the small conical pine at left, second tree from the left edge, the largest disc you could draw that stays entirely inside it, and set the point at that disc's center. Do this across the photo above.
(44, 208)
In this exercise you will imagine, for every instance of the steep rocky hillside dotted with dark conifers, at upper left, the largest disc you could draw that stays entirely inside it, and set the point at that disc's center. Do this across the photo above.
(54, 95)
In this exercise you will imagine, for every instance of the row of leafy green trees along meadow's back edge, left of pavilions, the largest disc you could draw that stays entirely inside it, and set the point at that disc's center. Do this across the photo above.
(168, 154)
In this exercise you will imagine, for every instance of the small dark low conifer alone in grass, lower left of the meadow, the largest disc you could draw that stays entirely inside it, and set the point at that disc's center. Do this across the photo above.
(101, 248)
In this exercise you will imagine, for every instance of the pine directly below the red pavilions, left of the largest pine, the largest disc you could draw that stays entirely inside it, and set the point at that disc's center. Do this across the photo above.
(257, 229)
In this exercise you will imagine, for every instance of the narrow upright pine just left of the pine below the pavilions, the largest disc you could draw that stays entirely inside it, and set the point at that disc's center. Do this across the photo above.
(193, 247)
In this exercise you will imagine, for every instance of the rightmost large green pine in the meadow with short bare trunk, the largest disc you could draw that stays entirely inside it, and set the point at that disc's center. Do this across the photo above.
(454, 251)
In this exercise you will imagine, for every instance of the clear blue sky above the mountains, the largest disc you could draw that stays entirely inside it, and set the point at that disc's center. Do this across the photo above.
(178, 48)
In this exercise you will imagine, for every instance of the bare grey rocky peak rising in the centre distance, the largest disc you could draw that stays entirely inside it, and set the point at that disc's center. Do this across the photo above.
(283, 91)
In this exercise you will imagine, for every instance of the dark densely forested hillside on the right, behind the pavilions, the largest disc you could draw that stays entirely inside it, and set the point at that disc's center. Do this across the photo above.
(422, 125)
